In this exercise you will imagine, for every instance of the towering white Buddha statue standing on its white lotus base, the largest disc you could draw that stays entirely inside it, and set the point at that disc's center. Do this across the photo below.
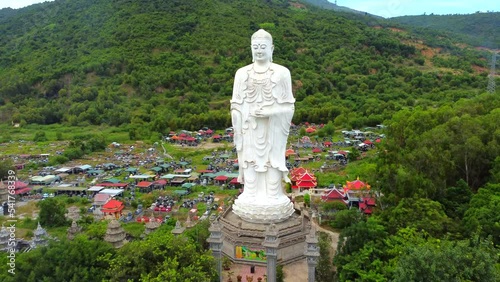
(262, 108)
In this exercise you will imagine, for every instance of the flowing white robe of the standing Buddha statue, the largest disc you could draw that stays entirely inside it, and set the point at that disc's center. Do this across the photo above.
(261, 141)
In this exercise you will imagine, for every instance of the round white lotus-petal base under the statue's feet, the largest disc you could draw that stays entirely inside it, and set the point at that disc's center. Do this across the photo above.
(263, 210)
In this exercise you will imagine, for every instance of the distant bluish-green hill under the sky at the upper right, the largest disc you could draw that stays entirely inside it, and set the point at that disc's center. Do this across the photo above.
(479, 29)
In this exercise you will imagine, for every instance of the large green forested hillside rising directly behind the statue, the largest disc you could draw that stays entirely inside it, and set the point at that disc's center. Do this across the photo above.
(160, 65)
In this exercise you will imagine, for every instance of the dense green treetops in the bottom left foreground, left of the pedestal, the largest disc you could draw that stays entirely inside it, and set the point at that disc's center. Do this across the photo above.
(159, 257)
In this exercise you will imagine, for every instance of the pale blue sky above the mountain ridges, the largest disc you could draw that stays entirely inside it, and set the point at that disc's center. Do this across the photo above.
(384, 8)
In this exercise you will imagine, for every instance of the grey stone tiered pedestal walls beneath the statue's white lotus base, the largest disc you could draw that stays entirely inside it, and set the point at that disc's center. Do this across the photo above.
(243, 240)
